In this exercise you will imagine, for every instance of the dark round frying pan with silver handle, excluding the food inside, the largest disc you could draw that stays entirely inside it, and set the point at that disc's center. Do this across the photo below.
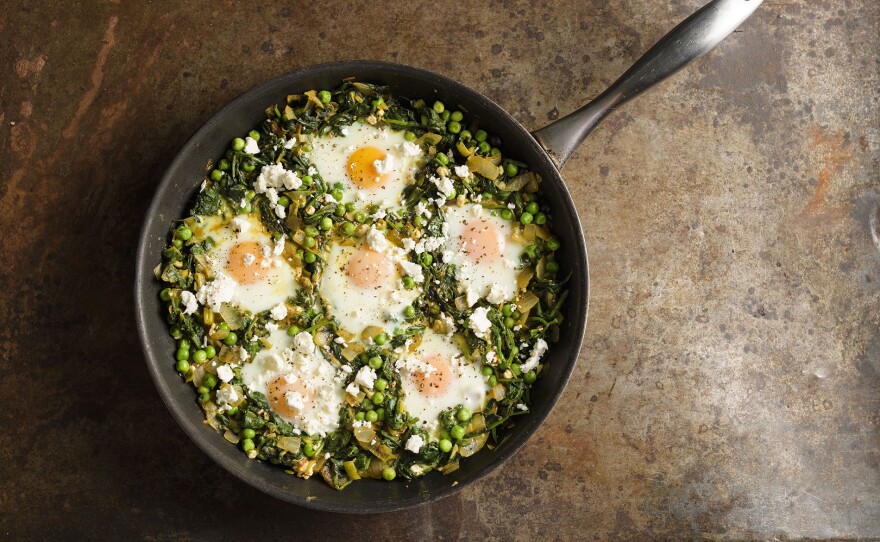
(545, 151)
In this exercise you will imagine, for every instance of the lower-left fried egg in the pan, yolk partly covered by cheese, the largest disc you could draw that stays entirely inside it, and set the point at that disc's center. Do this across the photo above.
(300, 384)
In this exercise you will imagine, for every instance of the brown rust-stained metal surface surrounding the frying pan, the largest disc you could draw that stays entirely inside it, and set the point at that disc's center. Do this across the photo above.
(730, 383)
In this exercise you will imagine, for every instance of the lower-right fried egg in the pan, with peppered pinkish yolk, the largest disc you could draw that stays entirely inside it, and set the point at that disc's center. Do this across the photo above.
(435, 377)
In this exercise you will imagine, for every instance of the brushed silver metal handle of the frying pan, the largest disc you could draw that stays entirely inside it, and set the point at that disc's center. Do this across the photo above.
(694, 37)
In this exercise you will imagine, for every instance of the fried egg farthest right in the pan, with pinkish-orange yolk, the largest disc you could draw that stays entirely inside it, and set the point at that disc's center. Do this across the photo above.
(485, 255)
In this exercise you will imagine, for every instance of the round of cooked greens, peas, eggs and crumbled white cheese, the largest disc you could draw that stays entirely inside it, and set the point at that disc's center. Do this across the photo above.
(365, 286)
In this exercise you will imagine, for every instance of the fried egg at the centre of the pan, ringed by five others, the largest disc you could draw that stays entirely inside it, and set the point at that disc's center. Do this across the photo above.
(362, 285)
